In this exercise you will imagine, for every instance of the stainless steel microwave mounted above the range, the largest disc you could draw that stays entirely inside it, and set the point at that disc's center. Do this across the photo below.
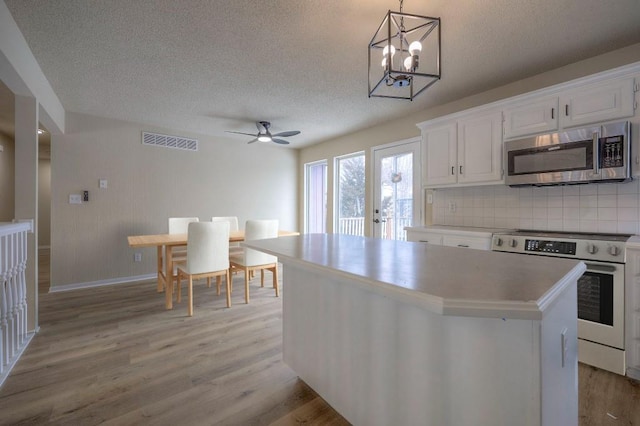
(590, 154)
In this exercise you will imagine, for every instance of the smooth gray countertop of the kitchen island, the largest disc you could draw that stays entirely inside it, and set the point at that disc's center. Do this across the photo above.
(448, 280)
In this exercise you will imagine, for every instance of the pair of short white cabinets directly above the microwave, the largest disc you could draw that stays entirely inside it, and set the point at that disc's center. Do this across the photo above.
(586, 104)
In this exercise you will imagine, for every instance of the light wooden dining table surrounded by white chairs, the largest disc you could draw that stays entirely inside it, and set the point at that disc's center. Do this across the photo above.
(165, 243)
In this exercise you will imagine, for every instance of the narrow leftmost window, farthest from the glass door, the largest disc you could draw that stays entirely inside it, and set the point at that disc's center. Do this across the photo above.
(315, 220)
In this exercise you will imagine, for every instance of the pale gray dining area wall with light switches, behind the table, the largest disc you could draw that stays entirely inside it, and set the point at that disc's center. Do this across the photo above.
(148, 184)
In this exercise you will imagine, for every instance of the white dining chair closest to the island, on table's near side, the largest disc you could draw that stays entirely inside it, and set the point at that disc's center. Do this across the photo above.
(250, 260)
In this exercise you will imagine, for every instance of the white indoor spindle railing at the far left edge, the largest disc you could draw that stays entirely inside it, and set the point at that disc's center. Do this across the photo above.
(13, 294)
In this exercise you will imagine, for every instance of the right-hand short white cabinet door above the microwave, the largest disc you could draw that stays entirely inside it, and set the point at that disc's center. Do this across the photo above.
(597, 102)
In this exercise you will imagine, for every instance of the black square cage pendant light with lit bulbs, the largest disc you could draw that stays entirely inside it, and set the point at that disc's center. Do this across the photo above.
(404, 56)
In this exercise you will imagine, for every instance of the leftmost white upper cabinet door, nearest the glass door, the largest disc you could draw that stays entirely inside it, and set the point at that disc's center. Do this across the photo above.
(439, 154)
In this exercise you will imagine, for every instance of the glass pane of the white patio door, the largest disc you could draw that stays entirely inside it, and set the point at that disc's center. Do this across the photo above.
(396, 194)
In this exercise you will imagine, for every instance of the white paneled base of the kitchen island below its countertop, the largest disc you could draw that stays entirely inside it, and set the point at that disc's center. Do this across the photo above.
(381, 358)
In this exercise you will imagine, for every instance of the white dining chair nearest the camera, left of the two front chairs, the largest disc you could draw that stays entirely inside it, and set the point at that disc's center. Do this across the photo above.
(207, 257)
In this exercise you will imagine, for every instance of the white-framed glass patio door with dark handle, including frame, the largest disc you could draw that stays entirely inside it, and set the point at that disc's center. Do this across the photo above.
(397, 197)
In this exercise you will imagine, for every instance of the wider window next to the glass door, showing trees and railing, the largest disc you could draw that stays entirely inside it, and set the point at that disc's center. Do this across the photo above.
(350, 178)
